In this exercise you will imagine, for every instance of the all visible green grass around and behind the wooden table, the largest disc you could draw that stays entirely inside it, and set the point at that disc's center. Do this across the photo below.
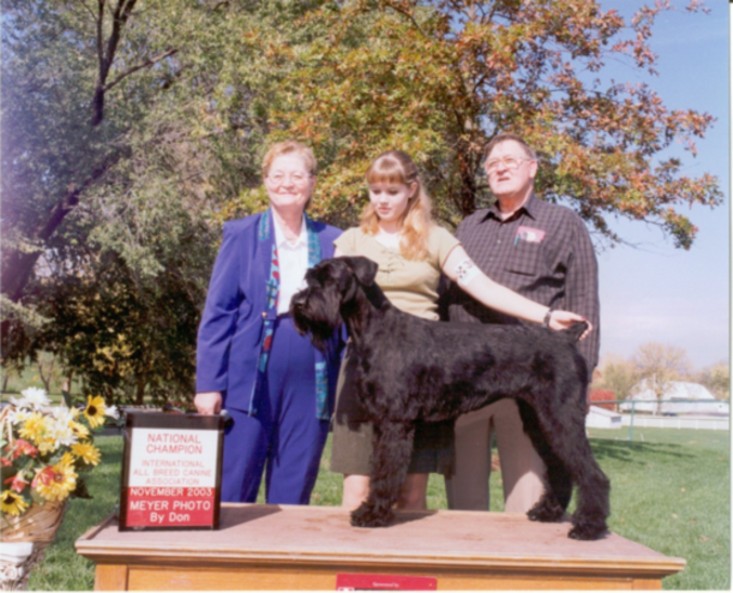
(670, 492)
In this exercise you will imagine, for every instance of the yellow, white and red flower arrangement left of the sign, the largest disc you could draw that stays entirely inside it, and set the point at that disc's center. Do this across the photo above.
(45, 448)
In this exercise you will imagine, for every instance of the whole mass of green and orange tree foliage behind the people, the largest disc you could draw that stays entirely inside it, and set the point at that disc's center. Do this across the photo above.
(194, 92)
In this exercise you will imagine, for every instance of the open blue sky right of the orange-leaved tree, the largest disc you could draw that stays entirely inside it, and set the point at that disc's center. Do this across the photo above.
(653, 292)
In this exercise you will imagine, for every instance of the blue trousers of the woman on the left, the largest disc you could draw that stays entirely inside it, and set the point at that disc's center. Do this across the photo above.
(285, 439)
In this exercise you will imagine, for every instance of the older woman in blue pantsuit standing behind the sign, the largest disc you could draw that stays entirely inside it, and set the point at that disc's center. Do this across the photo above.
(251, 361)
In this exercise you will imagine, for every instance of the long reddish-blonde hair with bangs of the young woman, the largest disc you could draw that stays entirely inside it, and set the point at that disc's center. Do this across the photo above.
(395, 166)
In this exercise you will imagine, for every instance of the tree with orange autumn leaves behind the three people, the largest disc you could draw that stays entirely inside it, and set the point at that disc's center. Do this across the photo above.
(440, 79)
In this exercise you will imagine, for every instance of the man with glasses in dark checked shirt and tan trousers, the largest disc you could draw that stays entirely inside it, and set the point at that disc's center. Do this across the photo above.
(544, 252)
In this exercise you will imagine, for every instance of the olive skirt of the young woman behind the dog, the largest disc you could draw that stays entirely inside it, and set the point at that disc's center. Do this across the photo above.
(351, 452)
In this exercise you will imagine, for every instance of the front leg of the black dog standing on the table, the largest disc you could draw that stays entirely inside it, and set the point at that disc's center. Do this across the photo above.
(390, 459)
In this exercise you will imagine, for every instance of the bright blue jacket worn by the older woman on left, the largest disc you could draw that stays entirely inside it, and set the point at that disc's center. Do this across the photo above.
(231, 335)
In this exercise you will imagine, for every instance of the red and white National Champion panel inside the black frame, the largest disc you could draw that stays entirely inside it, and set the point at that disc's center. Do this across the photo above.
(171, 478)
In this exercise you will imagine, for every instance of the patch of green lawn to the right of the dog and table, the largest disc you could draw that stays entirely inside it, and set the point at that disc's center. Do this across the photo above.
(670, 490)
